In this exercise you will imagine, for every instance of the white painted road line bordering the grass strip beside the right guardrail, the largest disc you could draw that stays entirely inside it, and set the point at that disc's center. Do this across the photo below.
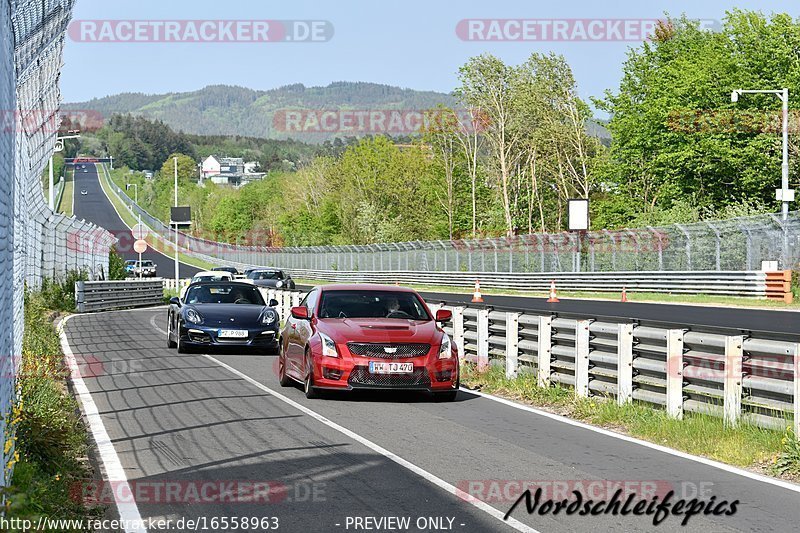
(683, 455)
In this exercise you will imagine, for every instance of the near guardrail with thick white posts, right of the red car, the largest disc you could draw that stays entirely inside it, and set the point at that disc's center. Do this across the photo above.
(738, 375)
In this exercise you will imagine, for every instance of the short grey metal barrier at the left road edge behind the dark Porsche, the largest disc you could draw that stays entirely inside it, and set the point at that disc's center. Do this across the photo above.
(106, 295)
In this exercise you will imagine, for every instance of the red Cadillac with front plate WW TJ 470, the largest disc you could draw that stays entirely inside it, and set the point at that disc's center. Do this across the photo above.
(349, 337)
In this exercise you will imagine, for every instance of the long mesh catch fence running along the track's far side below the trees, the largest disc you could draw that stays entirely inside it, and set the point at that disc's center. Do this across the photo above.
(736, 244)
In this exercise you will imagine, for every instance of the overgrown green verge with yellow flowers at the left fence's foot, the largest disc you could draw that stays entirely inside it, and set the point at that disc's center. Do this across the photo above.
(51, 440)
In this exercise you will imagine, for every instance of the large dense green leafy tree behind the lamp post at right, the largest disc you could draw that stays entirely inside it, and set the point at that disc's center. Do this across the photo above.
(676, 133)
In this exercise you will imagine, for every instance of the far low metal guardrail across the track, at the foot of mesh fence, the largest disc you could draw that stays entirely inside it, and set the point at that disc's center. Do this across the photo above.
(746, 283)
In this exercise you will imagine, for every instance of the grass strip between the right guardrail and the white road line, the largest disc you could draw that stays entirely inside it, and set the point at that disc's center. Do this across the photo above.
(767, 451)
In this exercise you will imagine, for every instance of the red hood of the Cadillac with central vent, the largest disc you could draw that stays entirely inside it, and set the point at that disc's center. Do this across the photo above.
(379, 330)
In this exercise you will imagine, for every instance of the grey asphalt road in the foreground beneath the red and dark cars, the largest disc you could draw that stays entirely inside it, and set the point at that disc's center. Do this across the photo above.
(184, 418)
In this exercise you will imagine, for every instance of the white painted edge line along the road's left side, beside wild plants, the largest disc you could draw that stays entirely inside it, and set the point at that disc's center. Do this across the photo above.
(114, 472)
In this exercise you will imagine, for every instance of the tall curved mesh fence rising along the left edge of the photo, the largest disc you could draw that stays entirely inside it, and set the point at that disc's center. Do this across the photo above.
(35, 242)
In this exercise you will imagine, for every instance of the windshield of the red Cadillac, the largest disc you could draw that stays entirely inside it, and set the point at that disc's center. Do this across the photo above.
(372, 304)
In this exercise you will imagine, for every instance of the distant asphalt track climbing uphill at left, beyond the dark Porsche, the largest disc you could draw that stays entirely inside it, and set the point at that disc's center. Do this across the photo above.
(97, 208)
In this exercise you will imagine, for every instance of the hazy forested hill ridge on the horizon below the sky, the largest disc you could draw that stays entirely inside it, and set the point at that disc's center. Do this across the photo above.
(311, 114)
